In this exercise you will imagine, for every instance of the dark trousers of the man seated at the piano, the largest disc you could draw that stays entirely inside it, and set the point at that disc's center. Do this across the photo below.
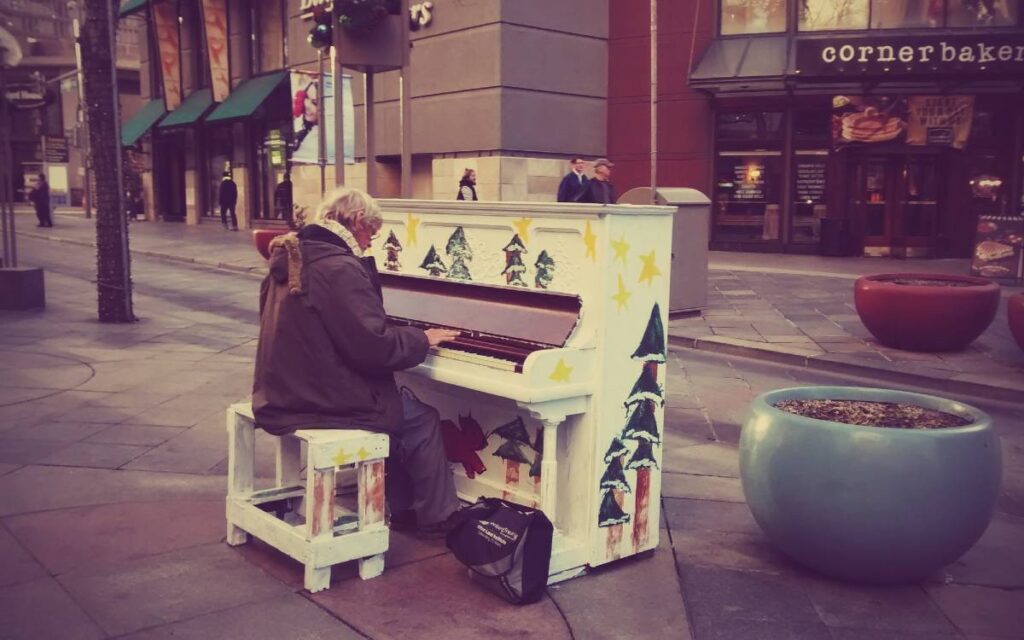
(418, 473)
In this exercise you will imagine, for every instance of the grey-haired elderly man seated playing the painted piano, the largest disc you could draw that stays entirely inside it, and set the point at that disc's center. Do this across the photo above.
(327, 355)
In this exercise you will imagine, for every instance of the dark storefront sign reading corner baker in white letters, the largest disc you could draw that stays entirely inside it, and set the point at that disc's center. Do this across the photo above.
(976, 54)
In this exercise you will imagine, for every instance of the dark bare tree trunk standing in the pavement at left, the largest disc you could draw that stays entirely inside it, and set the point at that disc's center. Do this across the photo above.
(113, 264)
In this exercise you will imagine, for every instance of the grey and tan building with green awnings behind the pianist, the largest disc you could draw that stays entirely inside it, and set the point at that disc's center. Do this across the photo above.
(508, 89)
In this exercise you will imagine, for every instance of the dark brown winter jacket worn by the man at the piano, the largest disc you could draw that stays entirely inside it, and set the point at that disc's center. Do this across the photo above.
(326, 352)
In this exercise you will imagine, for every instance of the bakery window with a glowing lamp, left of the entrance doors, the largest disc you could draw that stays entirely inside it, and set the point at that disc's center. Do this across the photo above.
(748, 197)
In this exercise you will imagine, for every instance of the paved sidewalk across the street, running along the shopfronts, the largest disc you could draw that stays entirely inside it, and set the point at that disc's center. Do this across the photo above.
(792, 310)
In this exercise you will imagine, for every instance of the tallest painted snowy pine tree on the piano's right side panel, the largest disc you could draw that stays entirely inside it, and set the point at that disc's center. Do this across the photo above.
(643, 424)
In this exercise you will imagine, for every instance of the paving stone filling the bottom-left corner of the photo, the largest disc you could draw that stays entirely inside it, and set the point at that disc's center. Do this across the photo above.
(41, 610)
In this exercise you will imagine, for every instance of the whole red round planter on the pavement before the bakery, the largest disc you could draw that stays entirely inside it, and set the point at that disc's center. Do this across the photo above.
(926, 318)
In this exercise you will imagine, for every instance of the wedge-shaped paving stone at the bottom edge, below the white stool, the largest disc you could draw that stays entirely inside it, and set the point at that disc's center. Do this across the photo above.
(292, 617)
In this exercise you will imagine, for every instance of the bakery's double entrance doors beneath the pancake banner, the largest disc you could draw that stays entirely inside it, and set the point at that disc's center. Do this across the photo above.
(898, 202)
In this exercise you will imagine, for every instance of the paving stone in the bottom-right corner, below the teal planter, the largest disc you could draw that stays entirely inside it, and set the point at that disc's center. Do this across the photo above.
(982, 611)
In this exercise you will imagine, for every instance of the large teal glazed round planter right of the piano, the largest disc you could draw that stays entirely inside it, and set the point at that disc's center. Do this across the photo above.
(869, 504)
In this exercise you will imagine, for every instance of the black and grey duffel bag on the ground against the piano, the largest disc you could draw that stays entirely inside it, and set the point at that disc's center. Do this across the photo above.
(507, 548)
